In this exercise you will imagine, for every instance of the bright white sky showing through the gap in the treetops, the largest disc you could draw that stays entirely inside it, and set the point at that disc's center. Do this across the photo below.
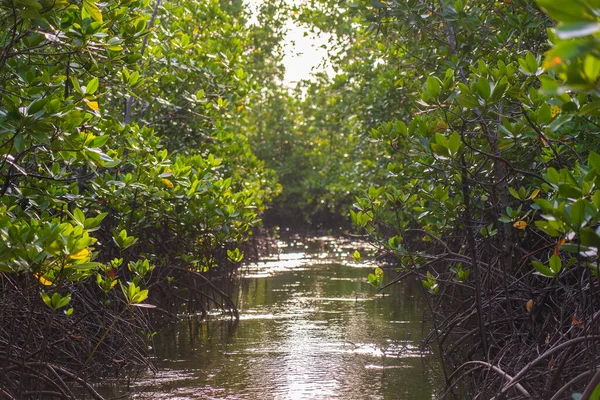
(302, 54)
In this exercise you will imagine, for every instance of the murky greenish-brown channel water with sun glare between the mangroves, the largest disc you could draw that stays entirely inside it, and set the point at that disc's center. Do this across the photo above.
(311, 327)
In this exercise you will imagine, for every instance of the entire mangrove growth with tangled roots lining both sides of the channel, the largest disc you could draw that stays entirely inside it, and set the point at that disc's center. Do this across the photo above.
(140, 143)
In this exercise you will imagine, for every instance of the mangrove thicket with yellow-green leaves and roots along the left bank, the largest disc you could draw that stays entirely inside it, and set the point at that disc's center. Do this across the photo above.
(125, 172)
